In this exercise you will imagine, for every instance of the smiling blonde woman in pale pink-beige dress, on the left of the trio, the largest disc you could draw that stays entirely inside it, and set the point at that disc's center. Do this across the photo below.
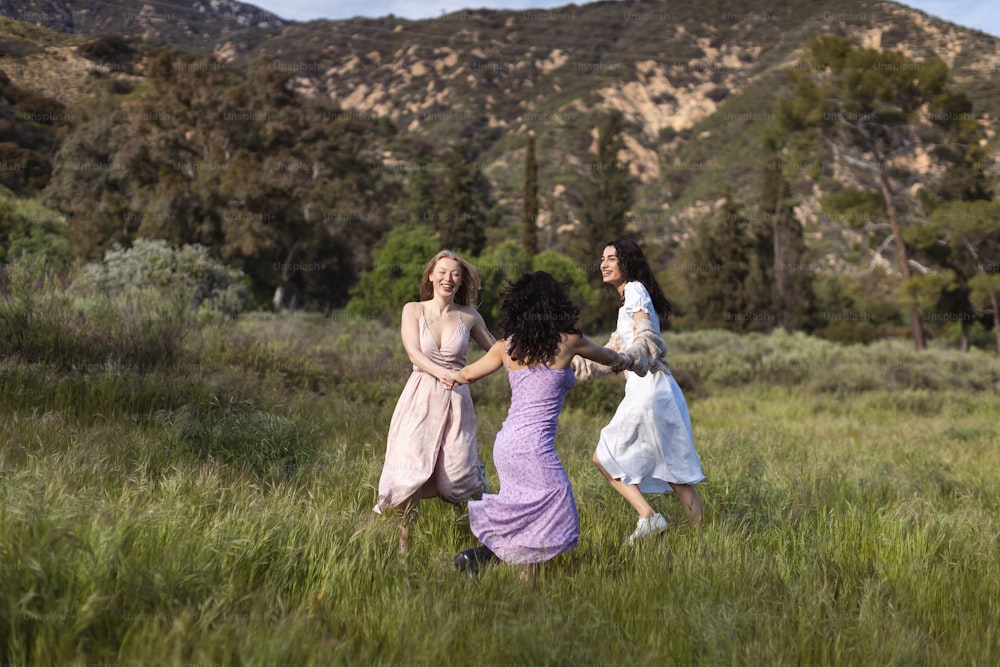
(431, 449)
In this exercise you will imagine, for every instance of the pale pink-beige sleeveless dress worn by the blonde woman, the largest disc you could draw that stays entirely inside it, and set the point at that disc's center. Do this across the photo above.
(432, 435)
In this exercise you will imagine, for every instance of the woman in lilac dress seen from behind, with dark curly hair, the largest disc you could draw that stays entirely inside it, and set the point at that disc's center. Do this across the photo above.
(534, 516)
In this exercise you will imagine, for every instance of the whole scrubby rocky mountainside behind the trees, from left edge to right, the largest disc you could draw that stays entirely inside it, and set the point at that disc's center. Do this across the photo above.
(696, 82)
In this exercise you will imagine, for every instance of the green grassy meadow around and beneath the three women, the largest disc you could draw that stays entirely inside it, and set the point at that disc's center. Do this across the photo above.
(190, 489)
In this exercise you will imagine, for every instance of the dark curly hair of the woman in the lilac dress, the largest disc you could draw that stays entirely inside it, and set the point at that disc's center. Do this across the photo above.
(536, 309)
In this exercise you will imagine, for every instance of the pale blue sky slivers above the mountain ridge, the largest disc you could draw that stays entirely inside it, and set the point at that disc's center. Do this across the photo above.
(980, 14)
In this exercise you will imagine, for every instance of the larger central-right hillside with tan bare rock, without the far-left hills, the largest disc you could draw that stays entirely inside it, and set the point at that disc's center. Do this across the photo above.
(696, 82)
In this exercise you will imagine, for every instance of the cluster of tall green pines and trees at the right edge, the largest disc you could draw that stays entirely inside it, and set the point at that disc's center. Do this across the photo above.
(859, 117)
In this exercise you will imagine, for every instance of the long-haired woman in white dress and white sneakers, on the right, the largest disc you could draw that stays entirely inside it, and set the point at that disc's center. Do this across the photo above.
(648, 446)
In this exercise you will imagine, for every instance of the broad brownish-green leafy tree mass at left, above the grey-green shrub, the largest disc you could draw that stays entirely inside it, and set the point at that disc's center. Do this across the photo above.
(275, 184)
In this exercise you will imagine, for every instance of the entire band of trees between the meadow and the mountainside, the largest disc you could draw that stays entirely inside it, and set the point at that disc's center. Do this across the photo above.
(300, 195)
